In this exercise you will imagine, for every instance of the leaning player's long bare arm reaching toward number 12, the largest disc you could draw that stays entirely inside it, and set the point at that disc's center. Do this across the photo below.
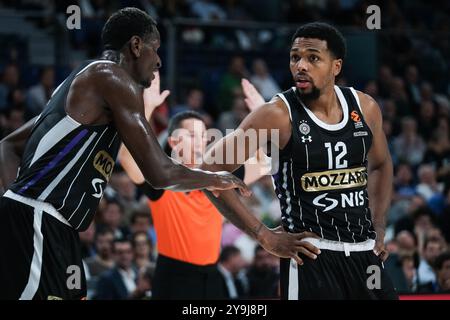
(125, 101)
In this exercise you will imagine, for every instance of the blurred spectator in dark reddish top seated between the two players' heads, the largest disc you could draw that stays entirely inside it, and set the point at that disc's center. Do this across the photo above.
(231, 81)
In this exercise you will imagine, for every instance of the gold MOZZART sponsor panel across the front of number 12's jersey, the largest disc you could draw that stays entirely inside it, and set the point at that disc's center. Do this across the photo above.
(334, 179)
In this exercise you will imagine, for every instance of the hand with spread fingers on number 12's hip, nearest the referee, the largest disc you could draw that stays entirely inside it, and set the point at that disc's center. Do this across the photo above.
(289, 245)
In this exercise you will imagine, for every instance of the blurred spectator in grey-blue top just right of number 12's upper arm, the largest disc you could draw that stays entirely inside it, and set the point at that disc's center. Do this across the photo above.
(409, 146)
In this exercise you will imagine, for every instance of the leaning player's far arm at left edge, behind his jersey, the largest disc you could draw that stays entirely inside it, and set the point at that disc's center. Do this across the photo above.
(11, 150)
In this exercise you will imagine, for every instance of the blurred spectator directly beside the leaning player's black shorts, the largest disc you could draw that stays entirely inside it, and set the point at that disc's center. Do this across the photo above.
(103, 259)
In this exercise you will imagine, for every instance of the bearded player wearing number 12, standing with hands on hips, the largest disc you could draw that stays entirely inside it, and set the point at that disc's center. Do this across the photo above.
(333, 158)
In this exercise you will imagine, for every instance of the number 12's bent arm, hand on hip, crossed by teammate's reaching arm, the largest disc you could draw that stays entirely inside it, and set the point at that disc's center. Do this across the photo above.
(270, 116)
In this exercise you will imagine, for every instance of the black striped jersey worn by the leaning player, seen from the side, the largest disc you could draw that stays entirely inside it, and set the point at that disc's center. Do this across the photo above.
(66, 163)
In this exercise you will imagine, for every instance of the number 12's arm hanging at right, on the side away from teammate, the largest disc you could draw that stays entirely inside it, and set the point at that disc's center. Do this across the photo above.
(380, 172)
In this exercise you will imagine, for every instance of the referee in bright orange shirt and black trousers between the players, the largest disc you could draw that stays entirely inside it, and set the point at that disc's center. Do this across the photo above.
(188, 226)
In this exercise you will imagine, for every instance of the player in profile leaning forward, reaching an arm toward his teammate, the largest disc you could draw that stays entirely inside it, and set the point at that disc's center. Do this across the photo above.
(65, 158)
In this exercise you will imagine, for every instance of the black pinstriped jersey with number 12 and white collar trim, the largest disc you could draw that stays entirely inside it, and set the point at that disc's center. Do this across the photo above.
(322, 177)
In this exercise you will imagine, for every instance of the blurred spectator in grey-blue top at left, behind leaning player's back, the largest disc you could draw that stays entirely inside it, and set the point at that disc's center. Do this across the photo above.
(39, 94)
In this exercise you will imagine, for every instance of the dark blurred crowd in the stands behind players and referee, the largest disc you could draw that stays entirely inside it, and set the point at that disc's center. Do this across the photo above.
(207, 47)
